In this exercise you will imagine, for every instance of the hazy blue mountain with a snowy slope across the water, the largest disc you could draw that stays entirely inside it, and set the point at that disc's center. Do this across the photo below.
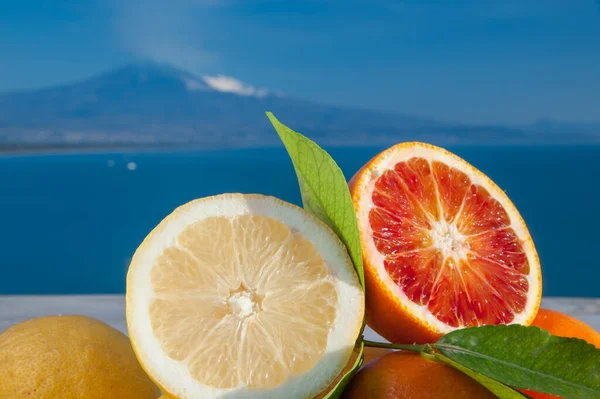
(156, 105)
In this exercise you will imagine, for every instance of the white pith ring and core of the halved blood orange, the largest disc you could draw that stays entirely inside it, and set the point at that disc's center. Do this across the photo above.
(445, 236)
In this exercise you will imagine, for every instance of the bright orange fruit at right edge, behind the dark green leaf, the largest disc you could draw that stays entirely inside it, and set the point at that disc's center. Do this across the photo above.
(562, 325)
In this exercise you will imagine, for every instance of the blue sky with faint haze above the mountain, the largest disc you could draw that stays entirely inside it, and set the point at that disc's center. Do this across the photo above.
(496, 61)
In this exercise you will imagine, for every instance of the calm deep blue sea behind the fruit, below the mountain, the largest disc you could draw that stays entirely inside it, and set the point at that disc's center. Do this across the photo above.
(70, 223)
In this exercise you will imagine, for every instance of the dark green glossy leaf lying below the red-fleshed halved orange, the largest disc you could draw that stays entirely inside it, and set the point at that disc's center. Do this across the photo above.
(527, 357)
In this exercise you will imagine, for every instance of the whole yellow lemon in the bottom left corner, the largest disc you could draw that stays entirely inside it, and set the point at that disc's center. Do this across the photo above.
(70, 357)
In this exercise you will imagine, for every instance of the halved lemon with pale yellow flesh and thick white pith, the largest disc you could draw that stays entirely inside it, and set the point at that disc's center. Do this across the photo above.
(243, 296)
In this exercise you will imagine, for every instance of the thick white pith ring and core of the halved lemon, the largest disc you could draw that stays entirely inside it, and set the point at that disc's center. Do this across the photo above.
(174, 376)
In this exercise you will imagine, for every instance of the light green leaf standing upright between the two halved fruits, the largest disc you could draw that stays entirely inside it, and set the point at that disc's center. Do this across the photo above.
(324, 189)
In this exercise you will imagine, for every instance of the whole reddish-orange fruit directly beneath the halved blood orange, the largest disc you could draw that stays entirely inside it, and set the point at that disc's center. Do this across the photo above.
(408, 375)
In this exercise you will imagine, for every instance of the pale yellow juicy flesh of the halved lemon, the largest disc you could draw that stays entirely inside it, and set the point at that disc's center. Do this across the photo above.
(237, 293)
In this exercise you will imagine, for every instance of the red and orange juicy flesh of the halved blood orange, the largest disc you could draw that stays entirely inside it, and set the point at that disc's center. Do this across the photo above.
(448, 244)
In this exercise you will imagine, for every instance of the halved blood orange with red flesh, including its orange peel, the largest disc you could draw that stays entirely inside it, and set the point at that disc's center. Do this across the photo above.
(443, 246)
